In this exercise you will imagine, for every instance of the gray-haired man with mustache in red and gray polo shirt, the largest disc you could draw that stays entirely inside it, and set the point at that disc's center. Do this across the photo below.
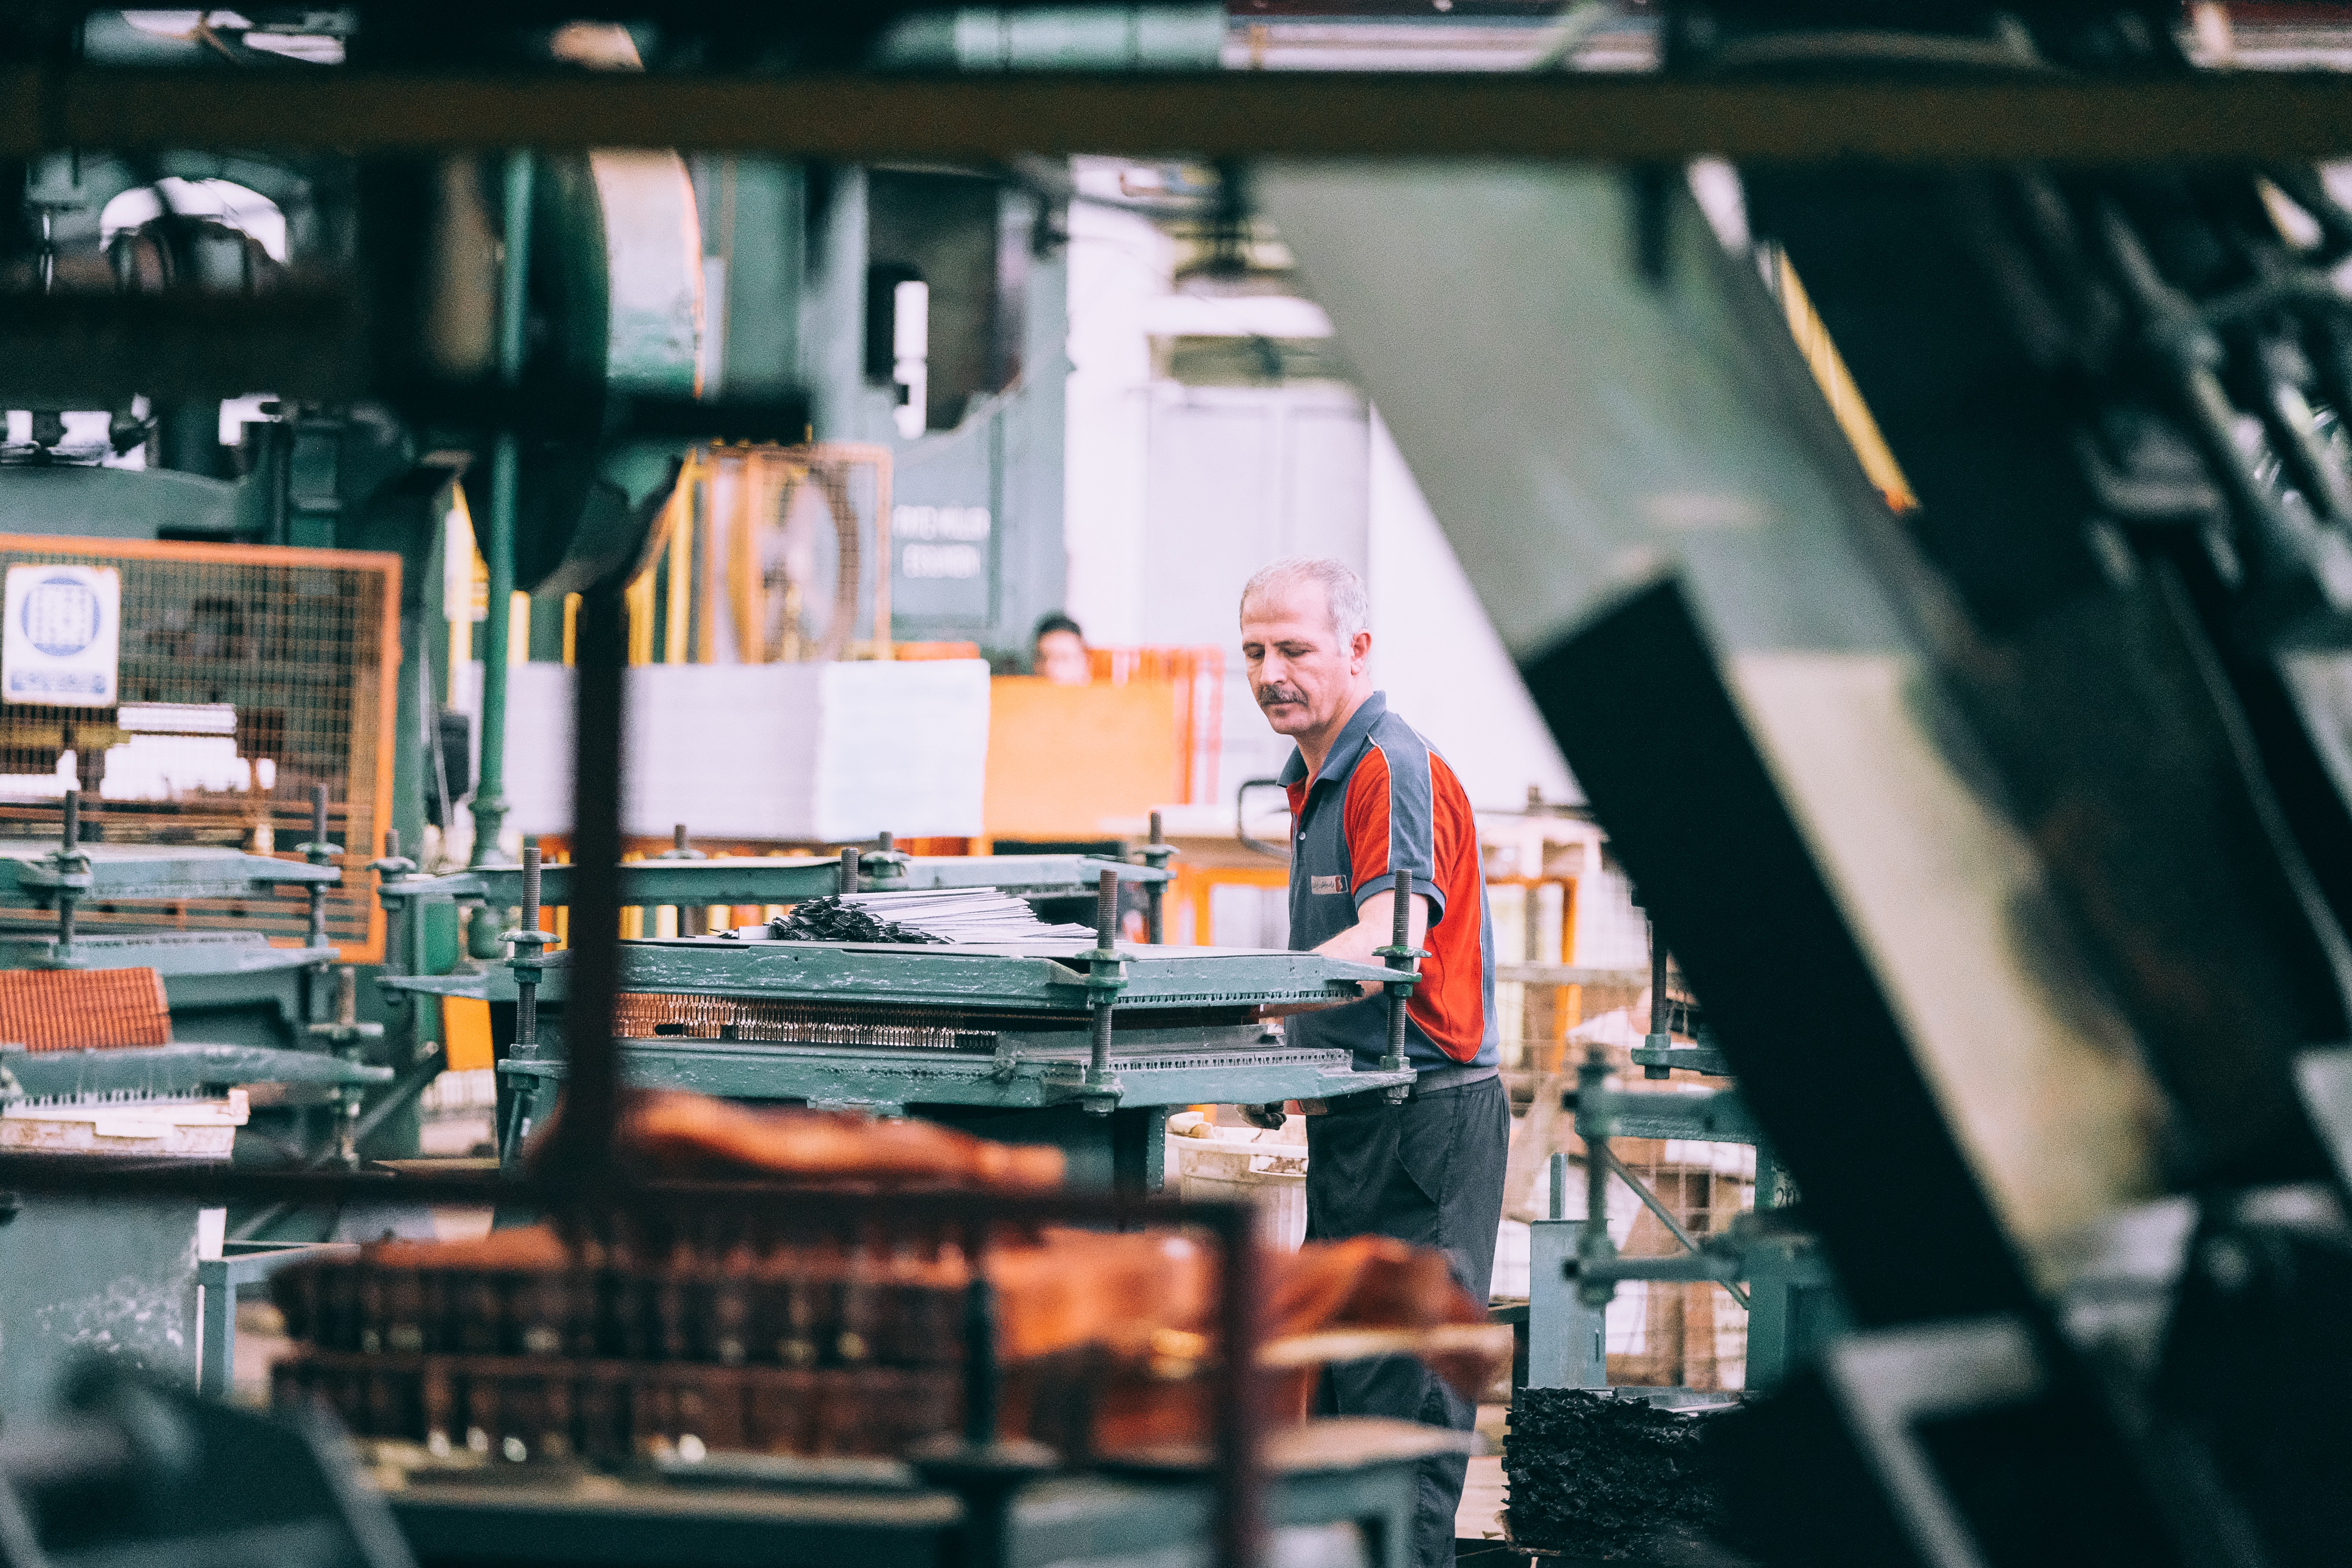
(1375, 805)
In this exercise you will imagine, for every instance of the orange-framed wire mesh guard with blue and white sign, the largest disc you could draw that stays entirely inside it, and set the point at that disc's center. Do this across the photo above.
(305, 648)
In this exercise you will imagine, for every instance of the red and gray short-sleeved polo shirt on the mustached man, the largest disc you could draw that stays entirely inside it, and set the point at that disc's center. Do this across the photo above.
(1389, 805)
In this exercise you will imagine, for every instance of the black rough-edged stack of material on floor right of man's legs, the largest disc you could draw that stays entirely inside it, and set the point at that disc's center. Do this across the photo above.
(1617, 1480)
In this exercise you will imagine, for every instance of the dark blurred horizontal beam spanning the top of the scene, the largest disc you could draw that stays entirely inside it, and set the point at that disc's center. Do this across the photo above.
(1636, 119)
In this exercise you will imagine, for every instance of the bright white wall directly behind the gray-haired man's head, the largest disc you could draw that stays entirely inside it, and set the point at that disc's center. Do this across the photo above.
(1177, 495)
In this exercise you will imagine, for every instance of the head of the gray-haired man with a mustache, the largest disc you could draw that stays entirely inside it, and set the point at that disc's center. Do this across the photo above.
(1307, 645)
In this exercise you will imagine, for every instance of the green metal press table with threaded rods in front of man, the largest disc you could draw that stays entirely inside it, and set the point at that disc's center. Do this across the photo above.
(1034, 1043)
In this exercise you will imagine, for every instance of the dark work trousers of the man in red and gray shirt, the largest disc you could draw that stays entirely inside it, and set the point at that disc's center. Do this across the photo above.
(1426, 1172)
